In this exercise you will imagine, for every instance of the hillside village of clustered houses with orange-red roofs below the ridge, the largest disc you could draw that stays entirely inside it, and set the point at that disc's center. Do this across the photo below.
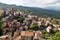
(17, 25)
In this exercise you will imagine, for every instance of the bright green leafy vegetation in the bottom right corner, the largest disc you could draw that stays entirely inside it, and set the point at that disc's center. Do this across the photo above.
(54, 36)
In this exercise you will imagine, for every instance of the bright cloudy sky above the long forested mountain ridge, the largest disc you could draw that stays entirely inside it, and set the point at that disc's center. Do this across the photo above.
(33, 3)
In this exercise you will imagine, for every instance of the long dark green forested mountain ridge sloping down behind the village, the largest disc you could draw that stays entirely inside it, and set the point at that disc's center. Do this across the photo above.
(33, 10)
